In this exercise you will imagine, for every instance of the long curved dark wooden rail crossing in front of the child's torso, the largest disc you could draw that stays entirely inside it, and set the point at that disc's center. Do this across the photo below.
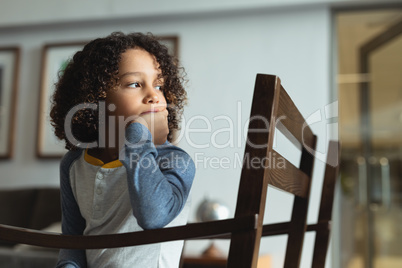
(194, 230)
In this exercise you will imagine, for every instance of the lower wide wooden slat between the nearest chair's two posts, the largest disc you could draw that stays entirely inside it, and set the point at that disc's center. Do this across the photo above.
(279, 173)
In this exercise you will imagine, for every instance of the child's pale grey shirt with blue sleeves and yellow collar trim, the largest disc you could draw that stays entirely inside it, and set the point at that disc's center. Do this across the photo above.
(146, 188)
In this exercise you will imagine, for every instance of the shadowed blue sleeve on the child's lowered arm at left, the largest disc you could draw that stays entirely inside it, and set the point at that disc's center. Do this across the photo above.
(72, 222)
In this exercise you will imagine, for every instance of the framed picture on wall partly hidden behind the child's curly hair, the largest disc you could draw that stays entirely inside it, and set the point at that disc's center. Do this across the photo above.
(54, 56)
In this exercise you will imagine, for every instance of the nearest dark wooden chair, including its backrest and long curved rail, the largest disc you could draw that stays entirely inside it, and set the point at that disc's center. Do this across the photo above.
(270, 101)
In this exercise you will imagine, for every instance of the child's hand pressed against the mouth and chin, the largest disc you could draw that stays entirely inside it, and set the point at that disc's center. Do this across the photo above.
(157, 123)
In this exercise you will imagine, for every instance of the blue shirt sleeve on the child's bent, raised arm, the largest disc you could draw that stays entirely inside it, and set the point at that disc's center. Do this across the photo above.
(159, 179)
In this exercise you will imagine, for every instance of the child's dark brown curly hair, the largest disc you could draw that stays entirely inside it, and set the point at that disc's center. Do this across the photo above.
(92, 73)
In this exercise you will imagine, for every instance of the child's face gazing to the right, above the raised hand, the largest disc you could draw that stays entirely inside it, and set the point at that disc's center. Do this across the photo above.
(139, 92)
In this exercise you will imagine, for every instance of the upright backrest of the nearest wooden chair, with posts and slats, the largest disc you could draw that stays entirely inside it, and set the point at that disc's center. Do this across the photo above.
(272, 104)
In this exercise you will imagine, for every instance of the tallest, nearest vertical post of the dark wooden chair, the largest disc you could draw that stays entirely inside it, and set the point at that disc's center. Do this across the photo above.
(253, 185)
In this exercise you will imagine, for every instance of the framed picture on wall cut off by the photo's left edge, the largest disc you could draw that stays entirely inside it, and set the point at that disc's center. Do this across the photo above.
(9, 66)
